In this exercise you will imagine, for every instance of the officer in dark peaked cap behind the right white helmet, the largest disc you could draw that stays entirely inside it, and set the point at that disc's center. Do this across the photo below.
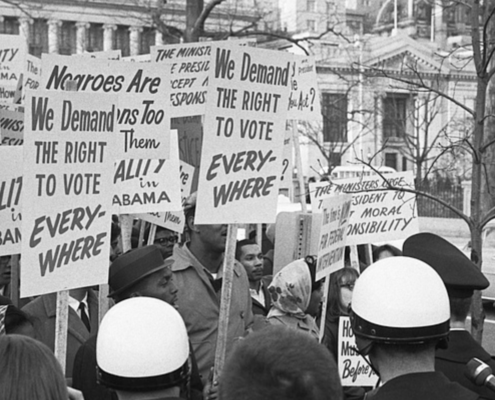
(461, 277)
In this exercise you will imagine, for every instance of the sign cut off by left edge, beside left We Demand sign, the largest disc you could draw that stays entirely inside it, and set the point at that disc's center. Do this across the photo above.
(10, 199)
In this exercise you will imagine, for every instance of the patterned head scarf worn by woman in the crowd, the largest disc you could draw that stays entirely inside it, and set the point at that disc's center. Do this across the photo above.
(290, 289)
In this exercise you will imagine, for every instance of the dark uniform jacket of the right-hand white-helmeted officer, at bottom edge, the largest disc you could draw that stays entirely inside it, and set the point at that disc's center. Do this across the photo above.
(421, 386)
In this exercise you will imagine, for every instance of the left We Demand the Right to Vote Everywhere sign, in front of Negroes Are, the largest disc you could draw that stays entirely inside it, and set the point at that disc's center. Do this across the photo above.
(67, 178)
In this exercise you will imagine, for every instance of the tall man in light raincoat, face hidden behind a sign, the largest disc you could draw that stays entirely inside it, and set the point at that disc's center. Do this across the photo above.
(198, 274)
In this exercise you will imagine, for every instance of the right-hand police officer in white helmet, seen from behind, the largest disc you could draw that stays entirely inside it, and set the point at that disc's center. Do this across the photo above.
(400, 313)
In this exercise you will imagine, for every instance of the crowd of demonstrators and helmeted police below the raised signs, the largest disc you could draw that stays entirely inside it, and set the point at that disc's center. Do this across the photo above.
(168, 307)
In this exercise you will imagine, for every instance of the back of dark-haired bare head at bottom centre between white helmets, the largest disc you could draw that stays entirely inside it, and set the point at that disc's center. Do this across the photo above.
(277, 363)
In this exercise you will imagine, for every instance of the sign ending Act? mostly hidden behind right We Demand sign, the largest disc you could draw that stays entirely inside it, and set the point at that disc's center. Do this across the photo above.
(304, 101)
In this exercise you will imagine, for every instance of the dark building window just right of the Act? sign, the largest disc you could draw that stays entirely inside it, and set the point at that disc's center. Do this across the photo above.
(334, 109)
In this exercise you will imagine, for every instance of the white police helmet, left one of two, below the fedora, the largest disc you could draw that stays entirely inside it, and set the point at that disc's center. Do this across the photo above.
(142, 345)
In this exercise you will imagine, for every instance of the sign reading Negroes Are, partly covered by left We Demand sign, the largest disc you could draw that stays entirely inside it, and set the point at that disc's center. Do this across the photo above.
(143, 118)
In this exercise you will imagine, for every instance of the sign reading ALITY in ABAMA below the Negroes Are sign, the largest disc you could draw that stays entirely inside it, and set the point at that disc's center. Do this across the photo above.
(148, 185)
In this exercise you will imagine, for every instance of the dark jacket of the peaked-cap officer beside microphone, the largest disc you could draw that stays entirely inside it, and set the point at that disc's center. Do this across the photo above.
(452, 361)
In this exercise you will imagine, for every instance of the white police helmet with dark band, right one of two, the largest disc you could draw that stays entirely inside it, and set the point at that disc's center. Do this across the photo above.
(399, 300)
